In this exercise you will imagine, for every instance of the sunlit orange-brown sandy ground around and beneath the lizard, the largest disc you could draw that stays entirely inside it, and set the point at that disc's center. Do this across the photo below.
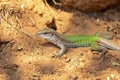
(24, 56)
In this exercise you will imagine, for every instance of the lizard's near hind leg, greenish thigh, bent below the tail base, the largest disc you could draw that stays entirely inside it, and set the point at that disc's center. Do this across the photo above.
(102, 50)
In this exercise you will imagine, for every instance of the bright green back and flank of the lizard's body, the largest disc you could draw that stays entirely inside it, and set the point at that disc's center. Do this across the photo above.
(80, 40)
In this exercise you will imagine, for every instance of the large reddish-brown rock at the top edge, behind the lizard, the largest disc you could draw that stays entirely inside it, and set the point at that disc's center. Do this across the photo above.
(89, 5)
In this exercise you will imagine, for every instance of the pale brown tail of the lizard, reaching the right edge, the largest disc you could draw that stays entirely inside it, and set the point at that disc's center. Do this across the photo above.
(109, 44)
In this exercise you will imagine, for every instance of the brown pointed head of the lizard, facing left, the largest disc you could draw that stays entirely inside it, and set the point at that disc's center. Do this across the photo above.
(46, 33)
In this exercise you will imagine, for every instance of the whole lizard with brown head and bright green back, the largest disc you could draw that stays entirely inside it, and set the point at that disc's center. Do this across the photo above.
(96, 42)
